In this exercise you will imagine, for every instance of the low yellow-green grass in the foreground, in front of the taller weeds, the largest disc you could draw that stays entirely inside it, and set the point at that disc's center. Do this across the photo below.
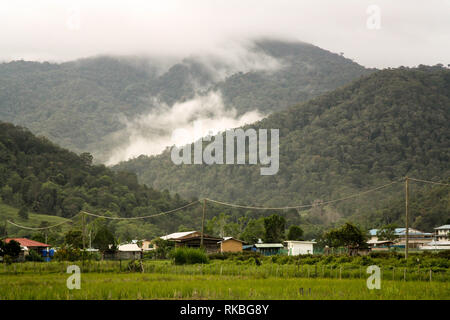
(158, 286)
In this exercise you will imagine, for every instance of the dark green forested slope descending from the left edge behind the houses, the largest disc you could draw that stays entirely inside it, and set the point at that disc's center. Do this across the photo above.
(39, 177)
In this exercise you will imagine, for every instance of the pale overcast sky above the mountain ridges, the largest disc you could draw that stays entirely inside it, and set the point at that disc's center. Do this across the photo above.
(408, 32)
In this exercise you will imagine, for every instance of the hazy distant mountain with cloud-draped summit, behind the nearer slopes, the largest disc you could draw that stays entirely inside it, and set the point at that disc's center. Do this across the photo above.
(87, 105)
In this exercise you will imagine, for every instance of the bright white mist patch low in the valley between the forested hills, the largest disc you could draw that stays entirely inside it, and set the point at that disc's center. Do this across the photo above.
(150, 134)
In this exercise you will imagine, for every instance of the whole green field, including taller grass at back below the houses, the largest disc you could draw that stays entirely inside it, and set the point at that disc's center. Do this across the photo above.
(219, 280)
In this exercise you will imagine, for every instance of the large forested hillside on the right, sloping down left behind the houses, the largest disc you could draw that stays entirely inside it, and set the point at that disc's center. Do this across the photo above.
(382, 127)
